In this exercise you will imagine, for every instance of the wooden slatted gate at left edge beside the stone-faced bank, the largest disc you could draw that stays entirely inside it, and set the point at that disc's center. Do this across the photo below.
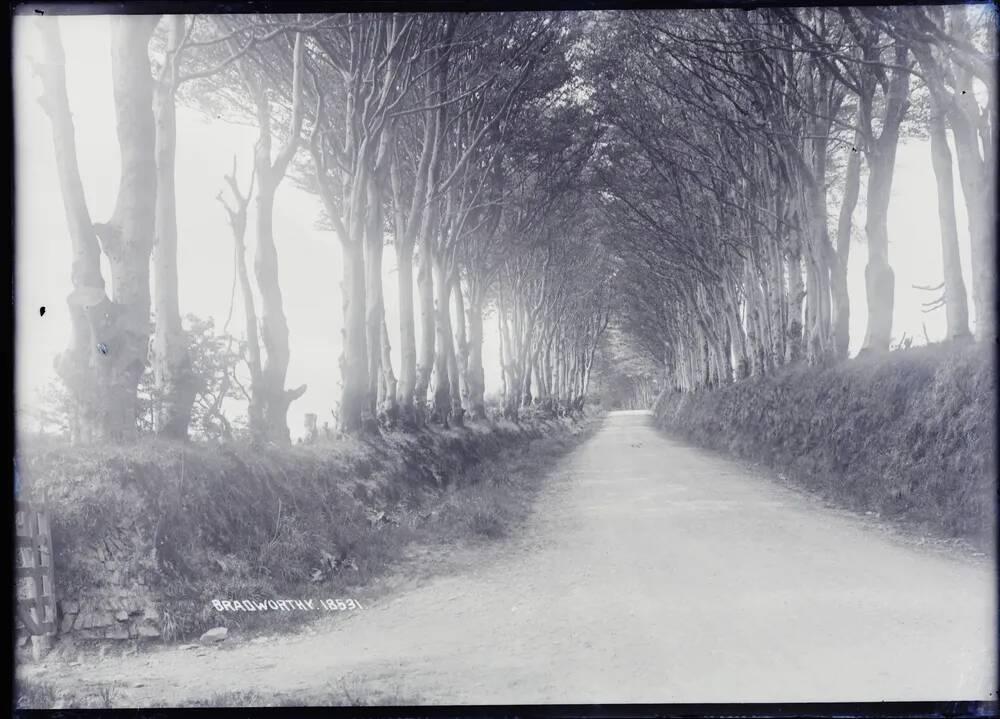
(36, 590)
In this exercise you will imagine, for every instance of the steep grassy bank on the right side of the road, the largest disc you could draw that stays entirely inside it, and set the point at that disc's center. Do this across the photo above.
(909, 434)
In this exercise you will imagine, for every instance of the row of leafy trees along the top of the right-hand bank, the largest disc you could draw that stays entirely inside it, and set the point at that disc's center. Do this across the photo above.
(729, 133)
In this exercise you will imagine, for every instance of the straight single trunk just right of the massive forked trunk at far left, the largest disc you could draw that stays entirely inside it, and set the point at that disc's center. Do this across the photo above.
(176, 384)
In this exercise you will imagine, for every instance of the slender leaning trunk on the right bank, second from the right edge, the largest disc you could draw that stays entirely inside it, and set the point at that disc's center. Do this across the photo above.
(955, 298)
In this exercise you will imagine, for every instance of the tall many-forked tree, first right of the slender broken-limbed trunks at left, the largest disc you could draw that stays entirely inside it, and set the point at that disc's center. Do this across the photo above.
(350, 155)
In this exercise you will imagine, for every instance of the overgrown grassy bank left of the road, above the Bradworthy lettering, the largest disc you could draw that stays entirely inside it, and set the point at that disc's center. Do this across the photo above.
(301, 522)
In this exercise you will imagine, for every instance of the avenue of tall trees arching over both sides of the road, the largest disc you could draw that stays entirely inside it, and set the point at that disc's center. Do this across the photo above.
(689, 178)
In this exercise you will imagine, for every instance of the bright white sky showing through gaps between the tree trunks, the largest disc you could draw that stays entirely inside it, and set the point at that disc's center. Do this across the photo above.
(309, 259)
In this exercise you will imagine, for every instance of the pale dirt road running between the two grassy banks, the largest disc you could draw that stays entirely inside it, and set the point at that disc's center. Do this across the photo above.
(650, 572)
